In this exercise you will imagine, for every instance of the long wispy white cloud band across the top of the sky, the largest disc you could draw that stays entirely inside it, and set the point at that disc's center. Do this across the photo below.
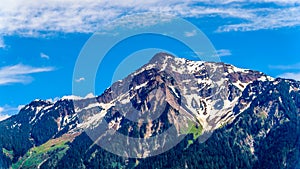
(32, 18)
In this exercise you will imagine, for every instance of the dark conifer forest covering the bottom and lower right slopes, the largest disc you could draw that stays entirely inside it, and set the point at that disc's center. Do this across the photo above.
(228, 147)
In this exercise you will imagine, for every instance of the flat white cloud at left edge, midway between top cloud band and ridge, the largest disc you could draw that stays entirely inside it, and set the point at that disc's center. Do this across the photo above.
(19, 73)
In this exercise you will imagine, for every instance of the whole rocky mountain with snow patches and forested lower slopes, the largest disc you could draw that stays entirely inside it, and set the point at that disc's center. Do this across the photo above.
(170, 113)
